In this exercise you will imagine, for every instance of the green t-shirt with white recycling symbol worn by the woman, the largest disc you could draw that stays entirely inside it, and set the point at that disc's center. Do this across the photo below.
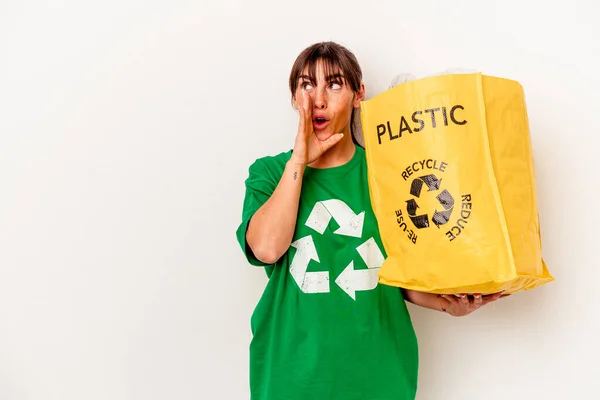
(324, 329)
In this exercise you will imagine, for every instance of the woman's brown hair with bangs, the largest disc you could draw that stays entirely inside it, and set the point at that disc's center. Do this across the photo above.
(336, 59)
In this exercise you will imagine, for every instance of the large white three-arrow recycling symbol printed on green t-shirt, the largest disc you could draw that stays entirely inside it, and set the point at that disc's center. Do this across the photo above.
(350, 280)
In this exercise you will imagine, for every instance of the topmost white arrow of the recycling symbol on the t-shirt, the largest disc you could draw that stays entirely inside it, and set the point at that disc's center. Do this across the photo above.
(351, 224)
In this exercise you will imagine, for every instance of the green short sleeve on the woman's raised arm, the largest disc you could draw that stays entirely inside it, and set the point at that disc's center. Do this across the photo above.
(260, 185)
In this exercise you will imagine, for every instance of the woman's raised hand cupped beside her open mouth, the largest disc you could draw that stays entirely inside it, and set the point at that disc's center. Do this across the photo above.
(308, 147)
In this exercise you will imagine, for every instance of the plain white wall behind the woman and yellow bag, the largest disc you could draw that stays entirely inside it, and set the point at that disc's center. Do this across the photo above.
(126, 131)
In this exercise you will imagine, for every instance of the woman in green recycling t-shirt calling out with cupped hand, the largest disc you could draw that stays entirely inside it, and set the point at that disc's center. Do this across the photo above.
(324, 329)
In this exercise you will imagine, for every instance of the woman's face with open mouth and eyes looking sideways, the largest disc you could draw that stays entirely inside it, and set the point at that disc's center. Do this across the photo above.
(331, 101)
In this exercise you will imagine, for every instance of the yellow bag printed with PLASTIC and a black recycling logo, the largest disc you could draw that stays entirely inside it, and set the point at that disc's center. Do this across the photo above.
(452, 184)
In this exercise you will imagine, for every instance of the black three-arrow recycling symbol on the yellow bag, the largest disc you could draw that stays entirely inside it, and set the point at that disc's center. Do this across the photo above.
(440, 216)
